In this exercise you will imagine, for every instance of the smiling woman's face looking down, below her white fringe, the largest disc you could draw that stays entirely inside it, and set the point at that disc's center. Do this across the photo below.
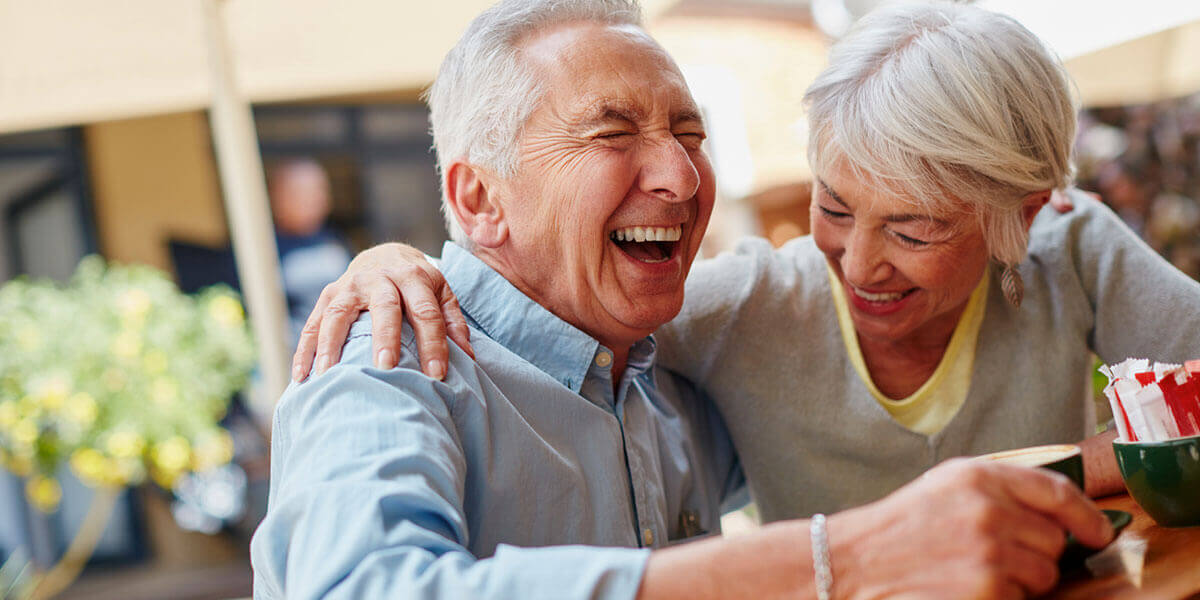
(908, 275)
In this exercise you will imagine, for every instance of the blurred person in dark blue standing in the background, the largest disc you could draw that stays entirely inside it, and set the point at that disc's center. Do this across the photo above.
(311, 255)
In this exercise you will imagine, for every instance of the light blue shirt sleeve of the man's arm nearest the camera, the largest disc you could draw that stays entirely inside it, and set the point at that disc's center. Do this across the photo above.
(367, 501)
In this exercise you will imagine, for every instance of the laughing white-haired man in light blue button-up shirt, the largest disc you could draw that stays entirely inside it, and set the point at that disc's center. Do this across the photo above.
(561, 463)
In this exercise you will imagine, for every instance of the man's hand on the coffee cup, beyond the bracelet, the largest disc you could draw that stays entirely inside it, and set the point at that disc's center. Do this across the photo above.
(964, 530)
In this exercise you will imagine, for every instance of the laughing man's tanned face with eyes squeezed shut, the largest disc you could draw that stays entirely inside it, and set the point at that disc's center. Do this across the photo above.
(610, 158)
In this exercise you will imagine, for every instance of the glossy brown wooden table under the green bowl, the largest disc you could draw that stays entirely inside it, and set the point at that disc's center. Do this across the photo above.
(1145, 561)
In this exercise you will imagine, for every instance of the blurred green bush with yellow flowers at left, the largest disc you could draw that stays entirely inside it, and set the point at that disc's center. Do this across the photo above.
(118, 375)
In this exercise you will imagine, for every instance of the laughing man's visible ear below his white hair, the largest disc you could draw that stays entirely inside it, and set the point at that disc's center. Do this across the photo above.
(478, 212)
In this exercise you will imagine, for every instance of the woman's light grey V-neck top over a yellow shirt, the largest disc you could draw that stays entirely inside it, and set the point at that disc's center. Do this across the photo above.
(759, 334)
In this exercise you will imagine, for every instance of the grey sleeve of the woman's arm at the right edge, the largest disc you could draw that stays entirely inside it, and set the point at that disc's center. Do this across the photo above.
(1142, 305)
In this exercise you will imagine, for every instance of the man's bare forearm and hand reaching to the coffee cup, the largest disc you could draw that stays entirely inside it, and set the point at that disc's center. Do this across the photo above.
(965, 530)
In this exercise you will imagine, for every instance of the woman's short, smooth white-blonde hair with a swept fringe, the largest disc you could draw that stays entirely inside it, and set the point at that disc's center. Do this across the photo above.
(949, 106)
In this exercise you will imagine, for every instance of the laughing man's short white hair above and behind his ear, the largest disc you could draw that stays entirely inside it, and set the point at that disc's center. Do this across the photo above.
(485, 93)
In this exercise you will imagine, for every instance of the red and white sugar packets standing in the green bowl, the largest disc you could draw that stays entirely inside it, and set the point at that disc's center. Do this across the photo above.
(1154, 403)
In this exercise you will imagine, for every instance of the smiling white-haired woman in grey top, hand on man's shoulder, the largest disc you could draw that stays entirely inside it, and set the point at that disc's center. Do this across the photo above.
(935, 311)
